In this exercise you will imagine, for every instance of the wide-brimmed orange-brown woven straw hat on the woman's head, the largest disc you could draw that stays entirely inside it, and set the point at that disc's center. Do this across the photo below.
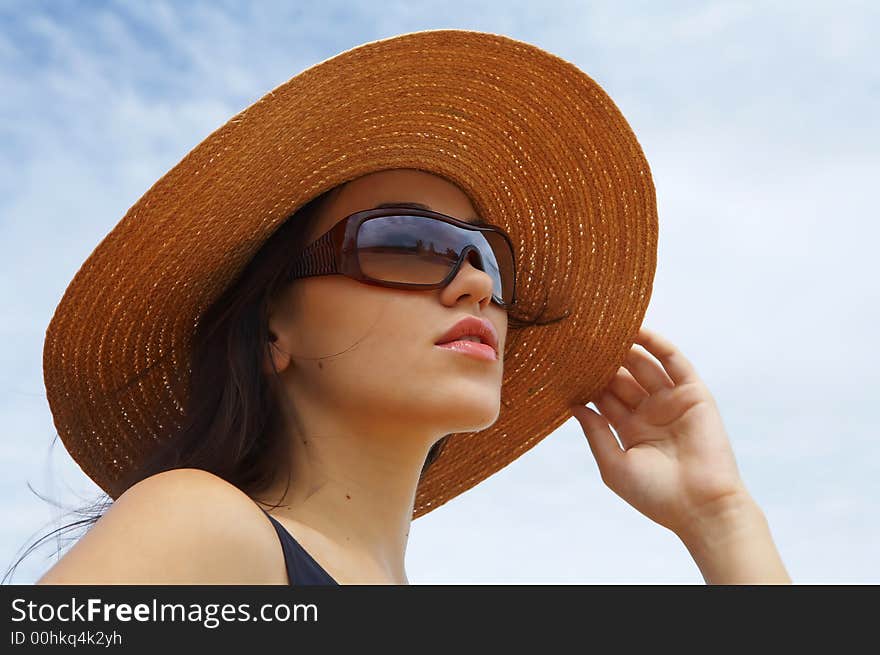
(538, 146)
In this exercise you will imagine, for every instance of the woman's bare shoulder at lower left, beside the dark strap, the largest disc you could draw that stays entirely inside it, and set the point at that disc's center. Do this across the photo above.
(185, 526)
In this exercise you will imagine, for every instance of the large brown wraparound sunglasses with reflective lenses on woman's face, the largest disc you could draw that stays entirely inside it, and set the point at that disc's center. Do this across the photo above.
(410, 249)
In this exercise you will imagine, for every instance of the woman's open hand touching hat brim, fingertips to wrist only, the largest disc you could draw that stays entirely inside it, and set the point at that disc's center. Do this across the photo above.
(676, 466)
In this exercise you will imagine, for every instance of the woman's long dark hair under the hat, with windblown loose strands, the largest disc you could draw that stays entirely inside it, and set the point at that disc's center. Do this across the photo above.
(231, 426)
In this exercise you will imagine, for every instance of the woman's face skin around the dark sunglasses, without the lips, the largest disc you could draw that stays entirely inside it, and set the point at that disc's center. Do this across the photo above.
(363, 357)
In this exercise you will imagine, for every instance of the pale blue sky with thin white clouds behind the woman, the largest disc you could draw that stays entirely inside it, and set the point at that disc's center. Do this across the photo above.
(760, 123)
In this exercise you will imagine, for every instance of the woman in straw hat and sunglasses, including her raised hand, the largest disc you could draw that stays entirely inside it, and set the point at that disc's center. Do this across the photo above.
(320, 400)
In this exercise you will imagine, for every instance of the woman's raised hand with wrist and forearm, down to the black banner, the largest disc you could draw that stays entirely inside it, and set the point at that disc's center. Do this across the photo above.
(677, 467)
